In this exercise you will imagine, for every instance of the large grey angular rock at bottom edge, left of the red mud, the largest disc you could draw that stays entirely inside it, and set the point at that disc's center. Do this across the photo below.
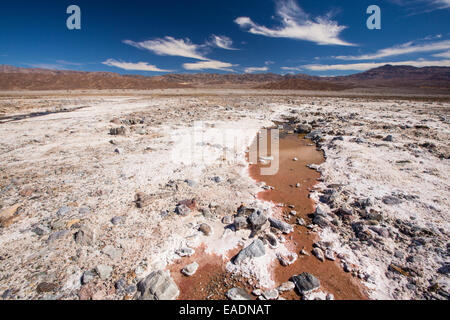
(159, 285)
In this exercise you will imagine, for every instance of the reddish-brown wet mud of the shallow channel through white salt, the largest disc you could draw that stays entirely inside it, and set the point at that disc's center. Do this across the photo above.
(333, 279)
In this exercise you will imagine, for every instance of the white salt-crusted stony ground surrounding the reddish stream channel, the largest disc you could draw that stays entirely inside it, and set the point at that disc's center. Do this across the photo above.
(71, 179)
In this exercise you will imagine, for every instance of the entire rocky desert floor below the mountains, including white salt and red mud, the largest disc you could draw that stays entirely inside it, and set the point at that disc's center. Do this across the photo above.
(149, 195)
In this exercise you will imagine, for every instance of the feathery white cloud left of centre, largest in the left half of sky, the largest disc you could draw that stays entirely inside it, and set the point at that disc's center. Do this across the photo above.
(170, 46)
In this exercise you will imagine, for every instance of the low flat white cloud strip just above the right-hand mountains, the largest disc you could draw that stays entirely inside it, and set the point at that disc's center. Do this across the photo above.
(371, 65)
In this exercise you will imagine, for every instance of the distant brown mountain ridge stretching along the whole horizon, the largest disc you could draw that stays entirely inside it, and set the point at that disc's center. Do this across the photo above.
(16, 78)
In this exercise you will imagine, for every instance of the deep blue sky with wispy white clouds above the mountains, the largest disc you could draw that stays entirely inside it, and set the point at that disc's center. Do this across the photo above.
(326, 37)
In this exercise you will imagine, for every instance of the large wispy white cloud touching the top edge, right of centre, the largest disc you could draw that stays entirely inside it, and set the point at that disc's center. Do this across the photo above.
(296, 24)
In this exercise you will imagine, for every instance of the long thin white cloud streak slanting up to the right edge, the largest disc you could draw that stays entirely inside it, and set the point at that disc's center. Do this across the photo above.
(405, 48)
